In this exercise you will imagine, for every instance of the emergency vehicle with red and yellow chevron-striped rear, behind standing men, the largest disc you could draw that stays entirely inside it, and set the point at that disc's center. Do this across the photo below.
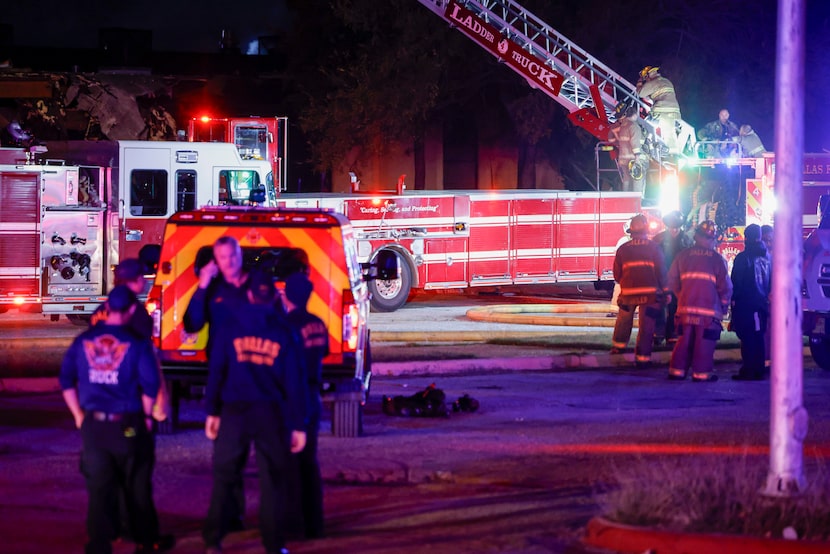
(282, 241)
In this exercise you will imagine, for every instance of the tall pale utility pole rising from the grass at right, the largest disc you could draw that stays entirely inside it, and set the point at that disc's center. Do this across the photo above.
(788, 418)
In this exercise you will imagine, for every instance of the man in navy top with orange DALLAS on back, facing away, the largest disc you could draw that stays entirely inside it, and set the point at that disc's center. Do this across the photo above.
(256, 392)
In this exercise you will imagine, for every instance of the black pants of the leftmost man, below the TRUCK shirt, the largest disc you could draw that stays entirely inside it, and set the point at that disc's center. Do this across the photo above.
(118, 456)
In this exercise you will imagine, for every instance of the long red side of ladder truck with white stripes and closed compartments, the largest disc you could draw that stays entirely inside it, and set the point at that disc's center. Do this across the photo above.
(460, 239)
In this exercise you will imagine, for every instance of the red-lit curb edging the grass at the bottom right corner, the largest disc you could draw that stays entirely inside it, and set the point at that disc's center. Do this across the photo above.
(627, 539)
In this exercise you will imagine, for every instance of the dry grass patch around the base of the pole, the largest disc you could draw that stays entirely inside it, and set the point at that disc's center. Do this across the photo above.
(717, 494)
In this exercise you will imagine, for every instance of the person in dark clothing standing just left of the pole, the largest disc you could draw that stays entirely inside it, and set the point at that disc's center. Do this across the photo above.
(751, 272)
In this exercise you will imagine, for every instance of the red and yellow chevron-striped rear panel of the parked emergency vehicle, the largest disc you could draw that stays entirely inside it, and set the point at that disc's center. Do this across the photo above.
(324, 246)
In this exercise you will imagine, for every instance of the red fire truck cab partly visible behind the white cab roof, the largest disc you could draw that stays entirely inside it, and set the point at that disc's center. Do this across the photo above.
(256, 138)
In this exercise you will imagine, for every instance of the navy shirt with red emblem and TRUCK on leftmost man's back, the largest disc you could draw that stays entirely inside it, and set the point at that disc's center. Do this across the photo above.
(112, 368)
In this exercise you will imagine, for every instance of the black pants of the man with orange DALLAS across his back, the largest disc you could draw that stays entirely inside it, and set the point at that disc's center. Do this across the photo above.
(241, 424)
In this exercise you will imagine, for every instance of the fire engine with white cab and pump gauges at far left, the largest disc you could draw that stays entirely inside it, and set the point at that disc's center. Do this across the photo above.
(69, 212)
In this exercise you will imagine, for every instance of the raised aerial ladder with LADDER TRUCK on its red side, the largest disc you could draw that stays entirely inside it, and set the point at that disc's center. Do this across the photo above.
(589, 90)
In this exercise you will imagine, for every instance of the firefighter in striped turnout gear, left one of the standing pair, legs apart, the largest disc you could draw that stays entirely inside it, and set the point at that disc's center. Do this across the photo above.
(640, 270)
